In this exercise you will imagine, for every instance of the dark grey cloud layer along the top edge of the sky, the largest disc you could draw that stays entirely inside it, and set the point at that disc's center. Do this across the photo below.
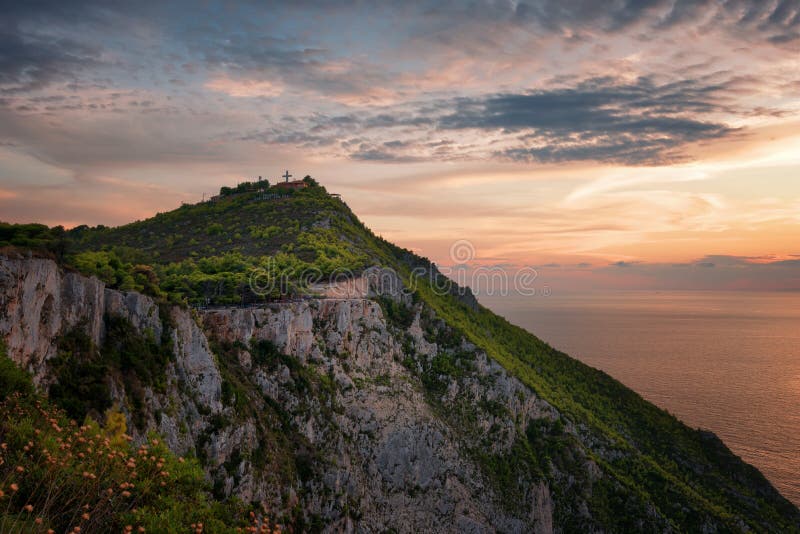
(351, 56)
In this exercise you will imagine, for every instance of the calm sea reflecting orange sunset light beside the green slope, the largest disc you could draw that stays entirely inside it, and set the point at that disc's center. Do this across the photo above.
(724, 361)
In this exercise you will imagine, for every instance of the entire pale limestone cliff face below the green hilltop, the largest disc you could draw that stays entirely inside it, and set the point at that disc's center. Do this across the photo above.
(334, 414)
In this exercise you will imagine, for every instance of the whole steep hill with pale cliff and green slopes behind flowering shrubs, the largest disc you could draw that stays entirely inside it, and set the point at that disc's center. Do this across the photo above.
(402, 408)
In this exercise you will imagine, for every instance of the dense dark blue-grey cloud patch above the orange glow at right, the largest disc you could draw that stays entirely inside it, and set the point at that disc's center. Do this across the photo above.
(600, 119)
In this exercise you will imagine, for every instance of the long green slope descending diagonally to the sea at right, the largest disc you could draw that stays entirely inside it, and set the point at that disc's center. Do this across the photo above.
(689, 475)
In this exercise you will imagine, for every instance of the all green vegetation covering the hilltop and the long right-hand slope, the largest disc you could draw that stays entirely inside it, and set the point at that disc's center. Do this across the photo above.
(654, 464)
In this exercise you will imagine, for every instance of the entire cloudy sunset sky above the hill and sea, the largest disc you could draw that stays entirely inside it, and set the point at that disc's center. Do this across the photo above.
(625, 144)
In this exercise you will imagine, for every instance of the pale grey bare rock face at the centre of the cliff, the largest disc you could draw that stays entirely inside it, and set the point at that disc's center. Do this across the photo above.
(397, 463)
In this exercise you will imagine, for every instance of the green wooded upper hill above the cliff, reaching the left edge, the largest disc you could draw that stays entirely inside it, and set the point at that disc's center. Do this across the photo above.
(239, 248)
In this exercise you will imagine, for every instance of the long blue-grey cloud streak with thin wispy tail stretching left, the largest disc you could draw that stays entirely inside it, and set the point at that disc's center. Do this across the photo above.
(607, 120)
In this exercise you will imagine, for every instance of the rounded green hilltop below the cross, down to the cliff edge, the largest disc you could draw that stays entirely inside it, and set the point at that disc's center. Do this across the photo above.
(205, 252)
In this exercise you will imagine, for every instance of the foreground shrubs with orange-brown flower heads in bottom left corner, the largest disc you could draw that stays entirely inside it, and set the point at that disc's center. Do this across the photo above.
(57, 476)
